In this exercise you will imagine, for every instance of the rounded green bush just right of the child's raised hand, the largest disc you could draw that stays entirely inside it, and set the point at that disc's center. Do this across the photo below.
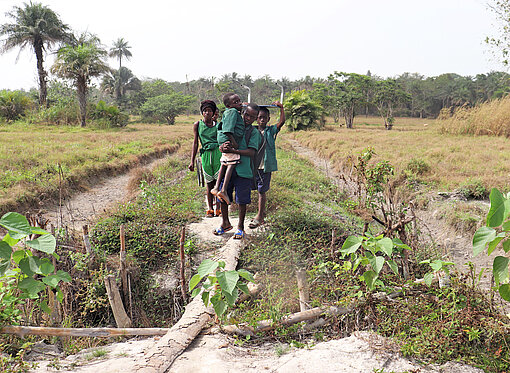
(303, 112)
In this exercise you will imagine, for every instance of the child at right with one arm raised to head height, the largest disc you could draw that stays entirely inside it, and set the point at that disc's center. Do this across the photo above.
(269, 163)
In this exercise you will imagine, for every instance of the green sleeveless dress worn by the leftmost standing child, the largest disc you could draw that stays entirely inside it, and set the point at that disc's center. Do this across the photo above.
(209, 152)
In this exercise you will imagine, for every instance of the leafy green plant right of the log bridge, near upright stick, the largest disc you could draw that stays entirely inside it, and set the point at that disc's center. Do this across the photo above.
(366, 251)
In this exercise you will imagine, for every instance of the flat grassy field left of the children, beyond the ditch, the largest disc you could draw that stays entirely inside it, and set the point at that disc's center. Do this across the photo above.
(30, 156)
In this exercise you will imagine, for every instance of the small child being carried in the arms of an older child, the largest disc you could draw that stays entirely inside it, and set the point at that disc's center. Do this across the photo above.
(230, 129)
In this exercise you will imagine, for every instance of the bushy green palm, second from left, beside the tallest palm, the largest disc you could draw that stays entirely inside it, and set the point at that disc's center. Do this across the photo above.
(80, 61)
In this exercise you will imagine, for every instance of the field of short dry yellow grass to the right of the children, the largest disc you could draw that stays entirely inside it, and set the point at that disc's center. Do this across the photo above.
(452, 160)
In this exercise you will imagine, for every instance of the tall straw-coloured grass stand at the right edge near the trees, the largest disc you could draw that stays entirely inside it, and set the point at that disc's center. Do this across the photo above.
(490, 118)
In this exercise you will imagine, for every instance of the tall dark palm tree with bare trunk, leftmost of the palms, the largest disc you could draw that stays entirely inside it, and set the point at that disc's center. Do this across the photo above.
(38, 27)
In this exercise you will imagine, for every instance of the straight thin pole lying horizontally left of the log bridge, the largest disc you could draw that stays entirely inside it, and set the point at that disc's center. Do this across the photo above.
(21, 331)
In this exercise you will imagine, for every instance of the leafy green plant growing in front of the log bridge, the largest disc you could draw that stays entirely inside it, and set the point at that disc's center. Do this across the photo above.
(221, 287)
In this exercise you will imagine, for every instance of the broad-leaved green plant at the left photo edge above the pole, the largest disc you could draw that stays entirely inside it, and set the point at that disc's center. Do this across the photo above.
(18, 265)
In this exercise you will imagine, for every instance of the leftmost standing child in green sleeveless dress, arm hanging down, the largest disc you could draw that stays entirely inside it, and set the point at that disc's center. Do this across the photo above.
(206, 131)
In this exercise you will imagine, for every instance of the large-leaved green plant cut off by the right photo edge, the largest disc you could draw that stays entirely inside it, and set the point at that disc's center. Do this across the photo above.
(496, 232)
